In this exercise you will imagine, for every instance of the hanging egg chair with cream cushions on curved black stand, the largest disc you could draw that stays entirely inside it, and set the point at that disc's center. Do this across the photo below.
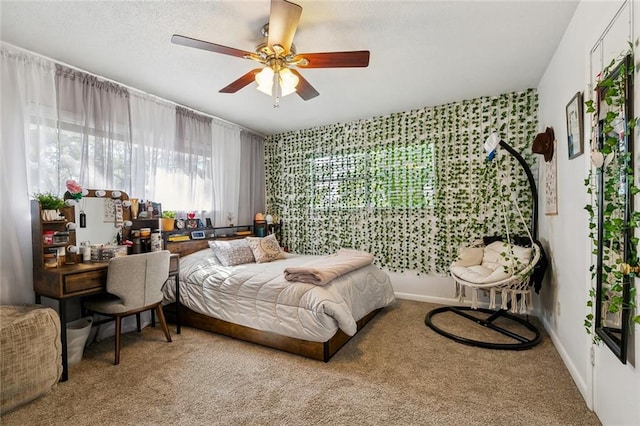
(506, 266)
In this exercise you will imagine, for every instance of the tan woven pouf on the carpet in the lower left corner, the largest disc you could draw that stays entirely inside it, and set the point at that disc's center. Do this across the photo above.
(30, 353)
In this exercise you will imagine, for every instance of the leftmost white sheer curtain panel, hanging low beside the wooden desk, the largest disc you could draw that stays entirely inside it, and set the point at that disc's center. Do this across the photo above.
(28, 102)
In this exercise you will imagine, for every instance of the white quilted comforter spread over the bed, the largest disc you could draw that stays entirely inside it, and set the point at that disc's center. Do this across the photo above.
(257, 295)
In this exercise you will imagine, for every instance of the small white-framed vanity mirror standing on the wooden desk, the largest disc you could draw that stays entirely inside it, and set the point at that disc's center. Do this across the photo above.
(105, 214)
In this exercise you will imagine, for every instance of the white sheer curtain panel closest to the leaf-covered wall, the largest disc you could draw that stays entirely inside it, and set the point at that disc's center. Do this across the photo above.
(226, 154)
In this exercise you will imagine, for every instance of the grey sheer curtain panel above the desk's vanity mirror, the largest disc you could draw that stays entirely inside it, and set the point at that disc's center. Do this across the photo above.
(94, 126)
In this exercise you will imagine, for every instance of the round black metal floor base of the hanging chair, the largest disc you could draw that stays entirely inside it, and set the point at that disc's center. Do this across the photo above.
(520, 342)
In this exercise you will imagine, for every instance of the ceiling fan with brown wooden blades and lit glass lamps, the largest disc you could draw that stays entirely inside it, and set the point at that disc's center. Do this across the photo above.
(277, 54)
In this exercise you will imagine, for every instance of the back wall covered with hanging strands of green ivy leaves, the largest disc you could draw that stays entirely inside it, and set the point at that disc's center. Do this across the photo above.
(410, 188)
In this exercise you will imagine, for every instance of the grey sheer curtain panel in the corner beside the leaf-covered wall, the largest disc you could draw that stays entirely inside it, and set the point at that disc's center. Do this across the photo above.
(251, 199)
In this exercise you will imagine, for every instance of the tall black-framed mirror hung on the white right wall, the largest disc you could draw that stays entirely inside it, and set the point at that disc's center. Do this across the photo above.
(615, 249)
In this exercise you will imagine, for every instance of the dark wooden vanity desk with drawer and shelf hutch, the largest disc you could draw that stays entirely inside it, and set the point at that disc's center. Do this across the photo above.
(70, 278)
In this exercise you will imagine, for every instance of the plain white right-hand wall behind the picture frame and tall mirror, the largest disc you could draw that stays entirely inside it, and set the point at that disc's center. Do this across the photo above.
(562, 303)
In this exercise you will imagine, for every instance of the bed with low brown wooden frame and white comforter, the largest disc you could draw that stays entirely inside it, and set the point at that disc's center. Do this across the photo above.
(254, 302)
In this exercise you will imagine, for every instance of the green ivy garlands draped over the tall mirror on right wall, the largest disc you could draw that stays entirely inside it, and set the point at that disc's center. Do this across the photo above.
(618, 185)
